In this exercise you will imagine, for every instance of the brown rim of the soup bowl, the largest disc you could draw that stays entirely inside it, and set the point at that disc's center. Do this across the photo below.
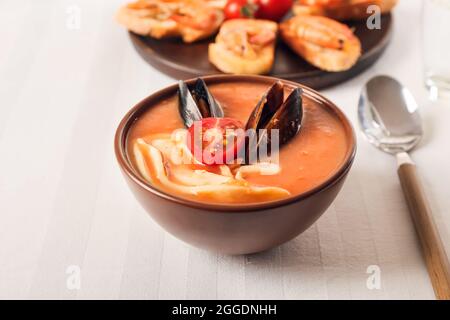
(120, 142)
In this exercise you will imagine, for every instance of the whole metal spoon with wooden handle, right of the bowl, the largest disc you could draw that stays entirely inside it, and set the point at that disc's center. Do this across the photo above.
(389, 118)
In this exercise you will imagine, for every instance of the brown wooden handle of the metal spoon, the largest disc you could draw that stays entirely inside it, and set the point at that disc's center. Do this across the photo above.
(433, 249)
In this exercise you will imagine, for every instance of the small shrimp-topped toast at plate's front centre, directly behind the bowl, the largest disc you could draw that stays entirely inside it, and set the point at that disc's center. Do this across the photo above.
(244, 46)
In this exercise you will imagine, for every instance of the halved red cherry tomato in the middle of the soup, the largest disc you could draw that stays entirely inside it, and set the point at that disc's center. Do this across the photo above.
(216, 140)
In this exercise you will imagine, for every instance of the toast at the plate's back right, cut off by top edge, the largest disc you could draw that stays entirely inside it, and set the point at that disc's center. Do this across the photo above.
(343, 10)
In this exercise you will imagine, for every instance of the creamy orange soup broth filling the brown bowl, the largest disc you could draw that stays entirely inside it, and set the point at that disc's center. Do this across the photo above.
(307, 161)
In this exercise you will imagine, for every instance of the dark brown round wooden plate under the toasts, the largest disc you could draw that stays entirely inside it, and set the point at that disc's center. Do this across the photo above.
(182, 61)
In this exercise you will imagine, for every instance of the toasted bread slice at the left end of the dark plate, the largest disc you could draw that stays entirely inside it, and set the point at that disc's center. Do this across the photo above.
(191, 20)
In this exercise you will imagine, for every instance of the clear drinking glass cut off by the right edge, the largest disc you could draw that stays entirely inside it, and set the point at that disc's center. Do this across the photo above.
(436, 36)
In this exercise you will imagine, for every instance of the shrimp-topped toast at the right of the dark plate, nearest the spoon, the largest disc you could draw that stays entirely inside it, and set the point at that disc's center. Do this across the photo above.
(323, 42)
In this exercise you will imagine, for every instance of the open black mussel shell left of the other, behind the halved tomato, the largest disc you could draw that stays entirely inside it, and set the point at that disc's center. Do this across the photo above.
(197, 103)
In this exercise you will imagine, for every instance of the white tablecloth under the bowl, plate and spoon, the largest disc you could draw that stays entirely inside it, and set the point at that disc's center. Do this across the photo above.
(65, 209)
